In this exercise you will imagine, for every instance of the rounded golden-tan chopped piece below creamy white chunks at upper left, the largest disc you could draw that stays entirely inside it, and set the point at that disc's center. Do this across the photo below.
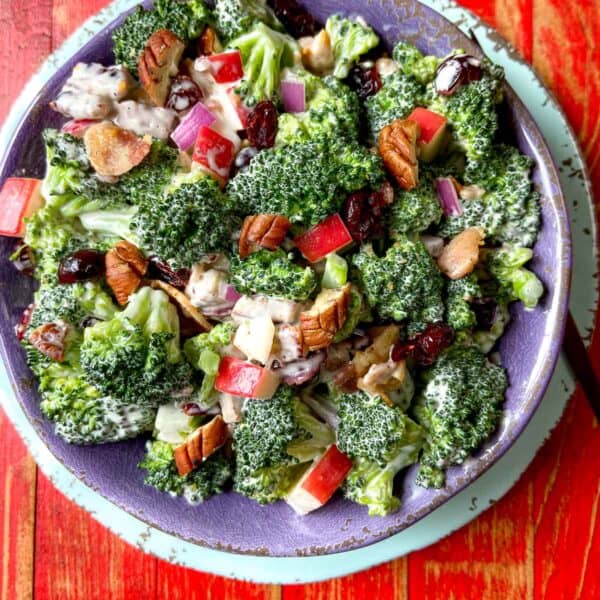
(114, 151)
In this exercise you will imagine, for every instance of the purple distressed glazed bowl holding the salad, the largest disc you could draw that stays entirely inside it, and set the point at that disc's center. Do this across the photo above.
(230, 522)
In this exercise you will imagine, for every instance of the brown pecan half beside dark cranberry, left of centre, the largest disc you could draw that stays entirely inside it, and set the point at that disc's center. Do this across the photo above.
(125, 269)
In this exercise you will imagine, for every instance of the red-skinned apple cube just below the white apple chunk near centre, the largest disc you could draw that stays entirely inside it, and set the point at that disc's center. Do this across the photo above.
(241, 378)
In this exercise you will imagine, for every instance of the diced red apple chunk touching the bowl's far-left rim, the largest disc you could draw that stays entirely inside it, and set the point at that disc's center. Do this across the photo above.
(20, 198)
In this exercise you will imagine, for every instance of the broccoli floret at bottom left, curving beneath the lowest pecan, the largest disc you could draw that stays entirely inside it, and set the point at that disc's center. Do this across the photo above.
(197, 486)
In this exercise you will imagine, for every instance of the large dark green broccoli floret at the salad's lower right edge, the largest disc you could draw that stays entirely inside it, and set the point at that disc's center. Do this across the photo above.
(459, 407)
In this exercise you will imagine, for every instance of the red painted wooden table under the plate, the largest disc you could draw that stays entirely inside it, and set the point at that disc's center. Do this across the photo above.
(540, 541)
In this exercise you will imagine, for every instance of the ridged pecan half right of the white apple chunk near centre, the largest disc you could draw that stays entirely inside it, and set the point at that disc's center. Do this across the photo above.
(319, 325)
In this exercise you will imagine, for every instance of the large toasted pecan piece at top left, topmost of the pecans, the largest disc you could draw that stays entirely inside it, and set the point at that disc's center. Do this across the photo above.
(158, 63)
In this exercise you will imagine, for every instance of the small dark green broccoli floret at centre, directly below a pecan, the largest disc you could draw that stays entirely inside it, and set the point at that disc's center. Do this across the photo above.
(272, 274)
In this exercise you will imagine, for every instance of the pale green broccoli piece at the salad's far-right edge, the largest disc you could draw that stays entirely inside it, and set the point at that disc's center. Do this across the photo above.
(516, 283)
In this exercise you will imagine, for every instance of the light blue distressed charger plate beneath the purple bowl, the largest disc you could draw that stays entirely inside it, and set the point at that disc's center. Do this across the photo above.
(461, 508)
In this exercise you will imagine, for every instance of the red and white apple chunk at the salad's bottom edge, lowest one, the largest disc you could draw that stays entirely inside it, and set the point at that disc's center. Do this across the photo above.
(319, 483)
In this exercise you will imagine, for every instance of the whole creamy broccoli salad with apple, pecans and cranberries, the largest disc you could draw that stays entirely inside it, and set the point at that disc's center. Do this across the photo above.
(278, 252)
